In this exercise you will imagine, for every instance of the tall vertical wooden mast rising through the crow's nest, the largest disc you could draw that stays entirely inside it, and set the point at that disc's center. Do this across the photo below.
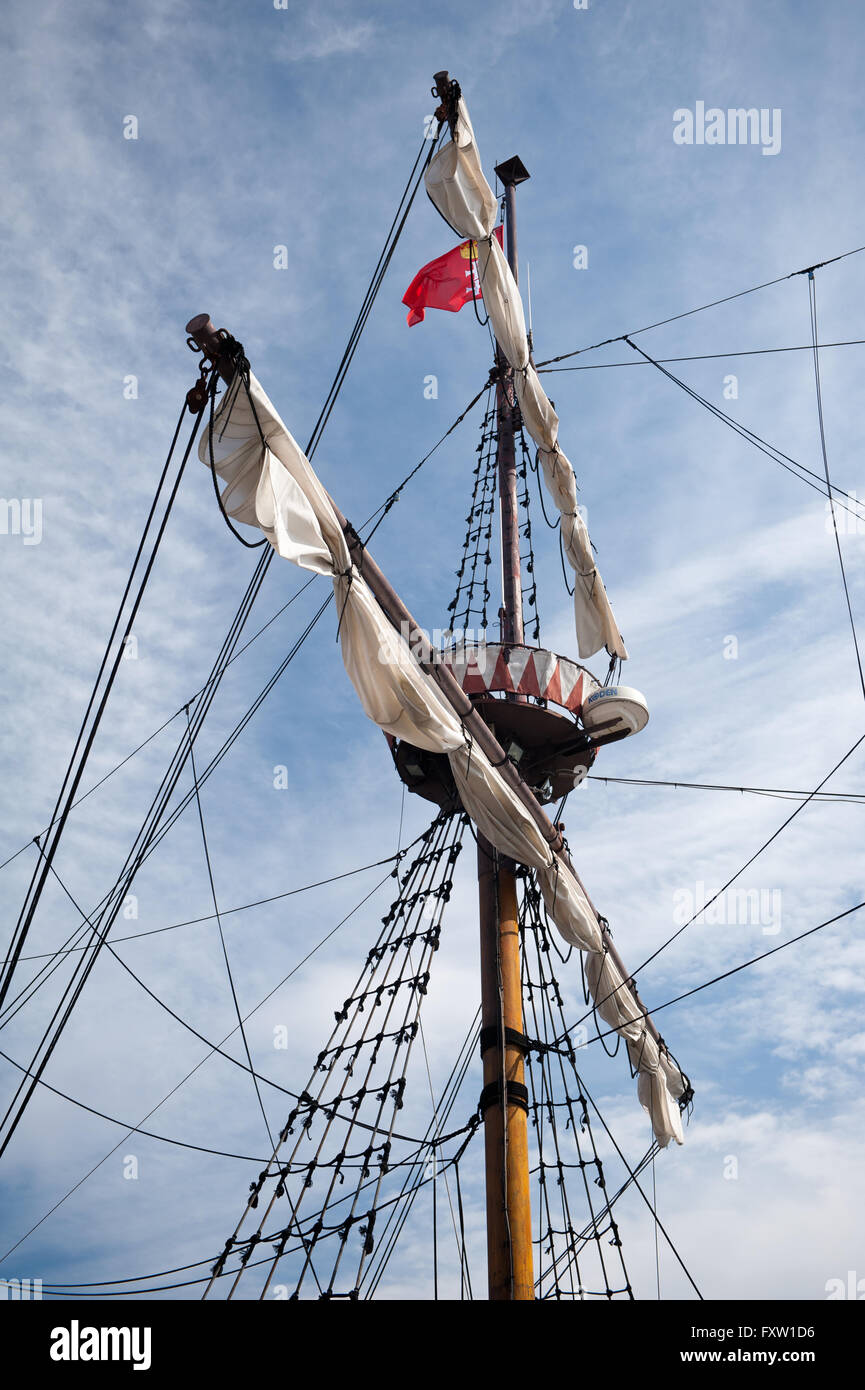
(506, 1099)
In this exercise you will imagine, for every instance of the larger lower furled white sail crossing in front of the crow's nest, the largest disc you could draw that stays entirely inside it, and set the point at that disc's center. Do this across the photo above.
(270, 484)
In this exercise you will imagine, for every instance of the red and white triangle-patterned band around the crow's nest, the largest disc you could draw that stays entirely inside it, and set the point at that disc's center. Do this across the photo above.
(522, 671)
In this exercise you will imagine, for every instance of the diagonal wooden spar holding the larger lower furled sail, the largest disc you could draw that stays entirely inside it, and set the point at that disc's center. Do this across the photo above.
(204, 333)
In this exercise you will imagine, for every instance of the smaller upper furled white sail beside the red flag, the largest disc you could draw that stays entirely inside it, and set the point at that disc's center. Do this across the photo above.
(457, 184)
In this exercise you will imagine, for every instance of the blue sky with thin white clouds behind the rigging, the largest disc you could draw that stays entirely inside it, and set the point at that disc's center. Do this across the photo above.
(259, 129)
